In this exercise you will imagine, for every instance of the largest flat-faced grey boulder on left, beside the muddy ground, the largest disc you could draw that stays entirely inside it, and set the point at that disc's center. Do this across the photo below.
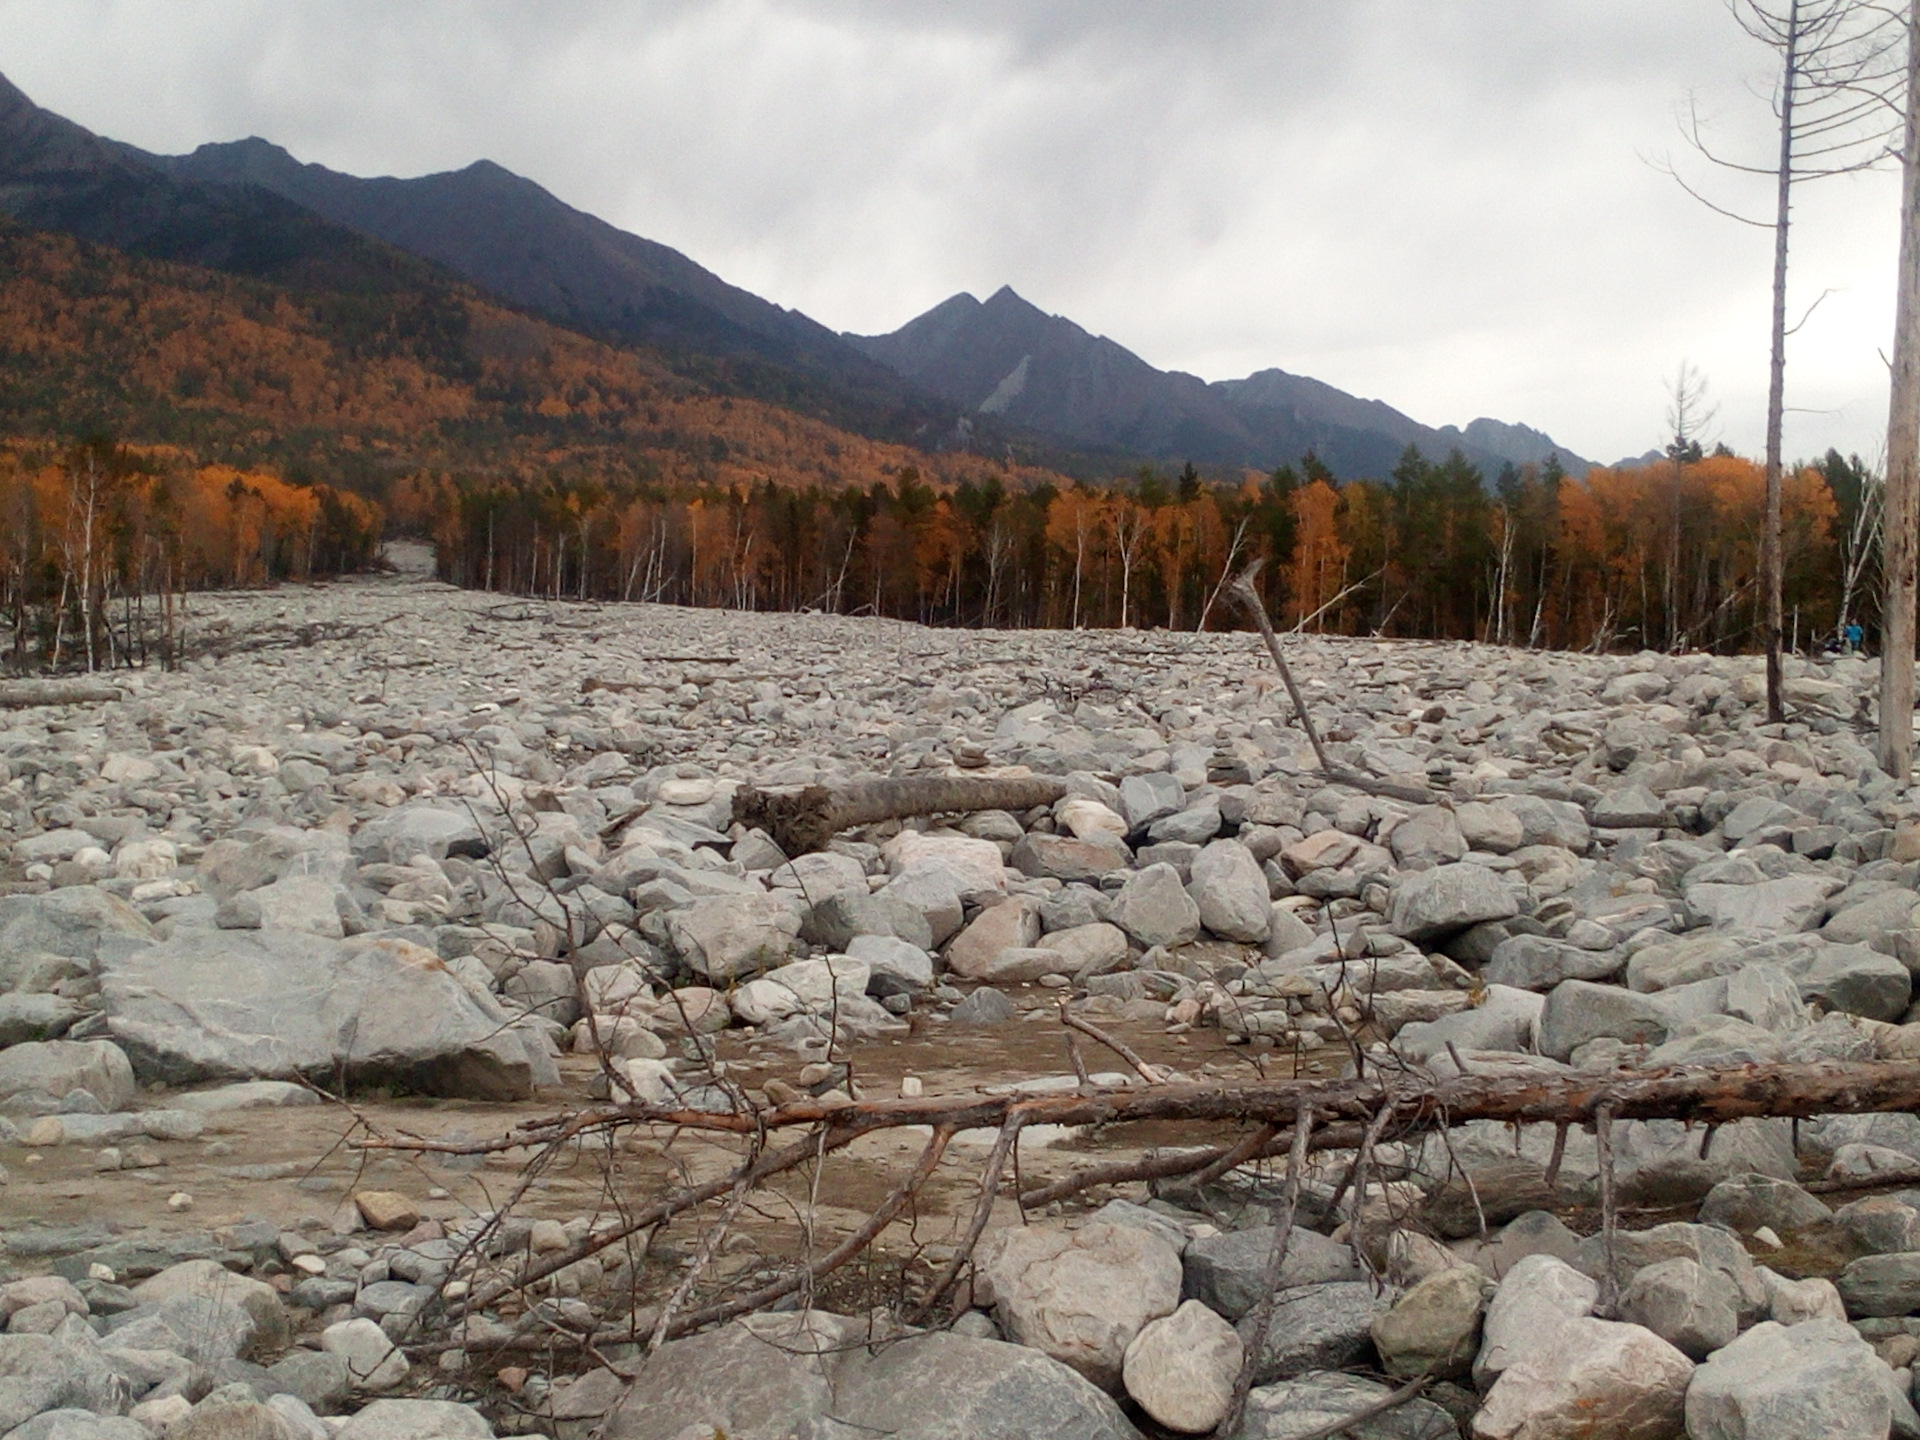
(274, 1005)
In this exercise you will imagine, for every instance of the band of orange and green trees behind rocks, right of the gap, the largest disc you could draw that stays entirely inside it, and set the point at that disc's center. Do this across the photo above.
(1662, 556)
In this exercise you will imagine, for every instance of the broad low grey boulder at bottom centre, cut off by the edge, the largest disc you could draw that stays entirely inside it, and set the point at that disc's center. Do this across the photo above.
(771, 1378)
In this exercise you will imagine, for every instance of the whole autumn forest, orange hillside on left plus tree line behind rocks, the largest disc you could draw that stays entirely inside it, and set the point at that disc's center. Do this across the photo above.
(166, 429)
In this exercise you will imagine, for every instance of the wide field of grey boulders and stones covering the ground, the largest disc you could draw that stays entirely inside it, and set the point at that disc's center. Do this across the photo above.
(471, 859)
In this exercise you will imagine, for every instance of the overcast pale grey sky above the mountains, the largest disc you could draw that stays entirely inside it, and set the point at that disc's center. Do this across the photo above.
(1445, 204)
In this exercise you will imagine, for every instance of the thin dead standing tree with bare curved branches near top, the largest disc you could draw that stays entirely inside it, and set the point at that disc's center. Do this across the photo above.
(1840, 60)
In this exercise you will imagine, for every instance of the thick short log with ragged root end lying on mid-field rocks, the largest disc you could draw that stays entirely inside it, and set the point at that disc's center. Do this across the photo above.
(804, 821)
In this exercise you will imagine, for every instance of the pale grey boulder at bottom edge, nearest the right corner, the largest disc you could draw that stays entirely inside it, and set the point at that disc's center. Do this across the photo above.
(1792, 1383)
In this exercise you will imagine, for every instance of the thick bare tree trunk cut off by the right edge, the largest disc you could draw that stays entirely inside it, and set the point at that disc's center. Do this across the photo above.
(1902, 508)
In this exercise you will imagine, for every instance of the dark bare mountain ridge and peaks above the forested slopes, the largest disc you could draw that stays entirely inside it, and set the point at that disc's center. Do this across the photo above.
(996, 375)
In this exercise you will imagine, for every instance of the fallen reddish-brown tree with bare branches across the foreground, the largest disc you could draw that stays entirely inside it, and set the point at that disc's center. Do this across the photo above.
(1345, 1115)
